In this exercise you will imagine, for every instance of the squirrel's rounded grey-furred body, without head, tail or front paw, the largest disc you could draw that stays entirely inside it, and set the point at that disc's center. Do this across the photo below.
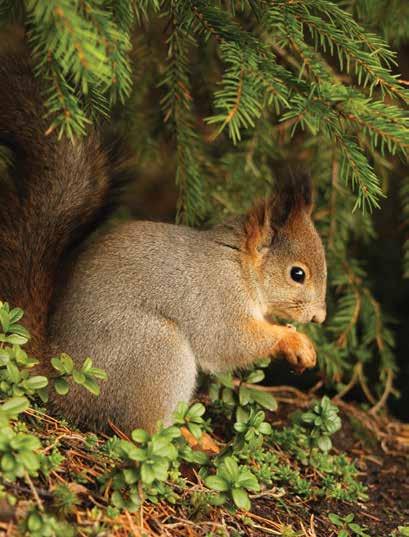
(152, 303)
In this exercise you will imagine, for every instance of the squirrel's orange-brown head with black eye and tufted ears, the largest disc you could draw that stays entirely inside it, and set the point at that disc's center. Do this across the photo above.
(287, 254)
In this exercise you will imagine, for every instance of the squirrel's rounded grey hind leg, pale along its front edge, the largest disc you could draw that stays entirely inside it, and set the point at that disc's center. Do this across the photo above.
(149, 372)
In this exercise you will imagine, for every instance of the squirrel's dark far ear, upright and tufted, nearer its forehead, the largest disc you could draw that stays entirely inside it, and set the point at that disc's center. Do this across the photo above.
(294, 197)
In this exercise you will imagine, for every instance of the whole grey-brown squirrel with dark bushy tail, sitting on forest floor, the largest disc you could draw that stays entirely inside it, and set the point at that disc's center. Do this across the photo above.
(151, 303)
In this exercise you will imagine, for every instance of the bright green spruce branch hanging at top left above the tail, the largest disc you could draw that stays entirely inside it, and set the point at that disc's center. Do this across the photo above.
(80, 49)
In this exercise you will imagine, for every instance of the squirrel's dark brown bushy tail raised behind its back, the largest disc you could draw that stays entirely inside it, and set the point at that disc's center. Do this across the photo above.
(57, 192)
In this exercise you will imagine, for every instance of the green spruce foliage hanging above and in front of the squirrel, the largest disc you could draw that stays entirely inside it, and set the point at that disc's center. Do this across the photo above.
(235, 89)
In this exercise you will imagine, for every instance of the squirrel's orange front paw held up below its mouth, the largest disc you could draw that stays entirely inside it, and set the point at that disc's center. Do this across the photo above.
(298, 350)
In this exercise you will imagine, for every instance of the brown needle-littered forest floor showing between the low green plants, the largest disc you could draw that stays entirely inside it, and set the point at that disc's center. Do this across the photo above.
(378, 446)
